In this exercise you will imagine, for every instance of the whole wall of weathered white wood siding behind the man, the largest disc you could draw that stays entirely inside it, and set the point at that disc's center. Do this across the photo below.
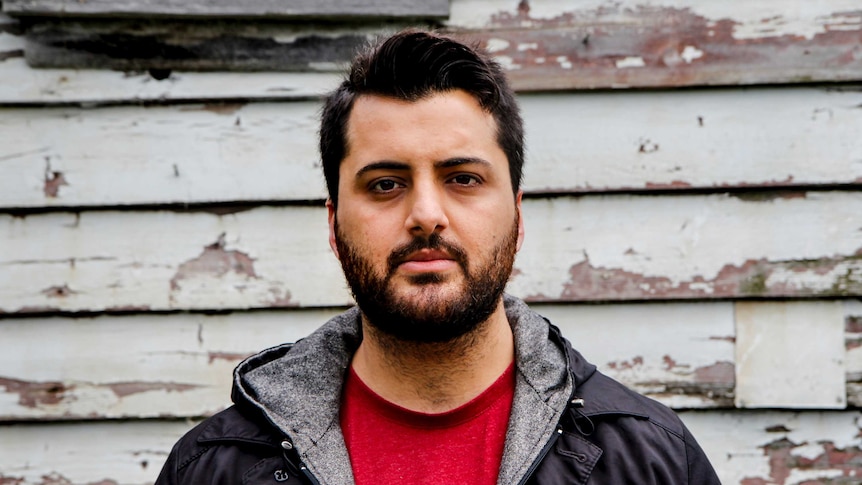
(703, 246)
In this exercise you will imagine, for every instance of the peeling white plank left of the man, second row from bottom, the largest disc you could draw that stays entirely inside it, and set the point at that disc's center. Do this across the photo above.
(136, 366)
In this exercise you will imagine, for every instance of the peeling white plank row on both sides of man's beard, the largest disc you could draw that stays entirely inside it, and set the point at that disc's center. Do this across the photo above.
(577, 249)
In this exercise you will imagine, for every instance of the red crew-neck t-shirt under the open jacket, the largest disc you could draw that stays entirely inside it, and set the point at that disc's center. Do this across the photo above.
(389, 444)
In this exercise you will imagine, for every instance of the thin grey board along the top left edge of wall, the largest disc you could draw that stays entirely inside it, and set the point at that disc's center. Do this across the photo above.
(229, 8)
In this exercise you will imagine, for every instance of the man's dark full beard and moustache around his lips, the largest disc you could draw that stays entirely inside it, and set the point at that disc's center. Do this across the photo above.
(428, 312)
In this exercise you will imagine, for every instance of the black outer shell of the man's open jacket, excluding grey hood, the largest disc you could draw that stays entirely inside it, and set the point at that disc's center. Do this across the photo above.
(606, 434)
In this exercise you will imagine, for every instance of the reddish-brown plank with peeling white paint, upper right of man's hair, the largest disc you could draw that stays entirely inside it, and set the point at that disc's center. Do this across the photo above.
(593, 44)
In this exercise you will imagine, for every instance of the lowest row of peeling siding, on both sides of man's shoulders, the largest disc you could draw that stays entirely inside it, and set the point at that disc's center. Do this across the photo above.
(760, 447)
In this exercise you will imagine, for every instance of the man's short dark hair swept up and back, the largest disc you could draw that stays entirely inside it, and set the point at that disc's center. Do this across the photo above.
(409, 66)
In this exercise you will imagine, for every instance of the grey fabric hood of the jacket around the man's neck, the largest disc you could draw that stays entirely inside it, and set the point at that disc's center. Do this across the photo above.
(298, 388)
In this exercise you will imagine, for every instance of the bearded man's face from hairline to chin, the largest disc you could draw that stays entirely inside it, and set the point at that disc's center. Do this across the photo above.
(426, 227)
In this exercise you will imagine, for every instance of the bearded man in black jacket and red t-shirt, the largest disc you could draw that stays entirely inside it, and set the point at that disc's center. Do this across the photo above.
(436, 376)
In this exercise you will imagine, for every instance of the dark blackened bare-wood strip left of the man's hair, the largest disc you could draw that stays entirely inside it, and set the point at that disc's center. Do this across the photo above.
(136, 46)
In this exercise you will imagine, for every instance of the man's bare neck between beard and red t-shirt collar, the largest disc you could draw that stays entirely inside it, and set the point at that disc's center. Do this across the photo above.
(435, 377)
